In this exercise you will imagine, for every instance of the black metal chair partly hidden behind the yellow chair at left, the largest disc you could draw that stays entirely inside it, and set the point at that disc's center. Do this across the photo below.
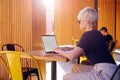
(27, 71)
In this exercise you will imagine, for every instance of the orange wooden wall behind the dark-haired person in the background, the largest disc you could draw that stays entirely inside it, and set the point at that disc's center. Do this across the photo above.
(106, 17)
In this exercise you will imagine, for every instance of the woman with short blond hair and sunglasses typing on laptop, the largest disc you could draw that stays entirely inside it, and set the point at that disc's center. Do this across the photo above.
(92, 45)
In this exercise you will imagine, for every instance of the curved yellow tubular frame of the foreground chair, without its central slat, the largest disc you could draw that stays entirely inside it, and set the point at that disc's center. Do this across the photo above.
(20, 54)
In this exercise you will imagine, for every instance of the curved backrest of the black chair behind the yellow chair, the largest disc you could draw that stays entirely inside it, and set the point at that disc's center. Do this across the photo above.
(12, 47)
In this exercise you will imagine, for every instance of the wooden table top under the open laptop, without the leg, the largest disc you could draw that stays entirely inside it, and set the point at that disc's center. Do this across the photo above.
(40, 54)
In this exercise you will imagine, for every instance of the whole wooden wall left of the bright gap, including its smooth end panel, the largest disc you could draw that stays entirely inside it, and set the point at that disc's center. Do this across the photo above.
(19, 24)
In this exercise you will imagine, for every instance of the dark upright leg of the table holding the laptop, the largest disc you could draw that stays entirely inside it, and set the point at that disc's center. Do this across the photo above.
(53, 70)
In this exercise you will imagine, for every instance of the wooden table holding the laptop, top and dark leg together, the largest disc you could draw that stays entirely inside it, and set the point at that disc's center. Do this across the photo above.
(41, 55)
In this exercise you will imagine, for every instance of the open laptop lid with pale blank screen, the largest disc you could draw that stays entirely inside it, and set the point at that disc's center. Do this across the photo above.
(49, 42)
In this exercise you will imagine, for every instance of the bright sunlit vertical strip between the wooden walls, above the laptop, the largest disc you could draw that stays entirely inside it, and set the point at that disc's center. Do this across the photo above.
(49, 5)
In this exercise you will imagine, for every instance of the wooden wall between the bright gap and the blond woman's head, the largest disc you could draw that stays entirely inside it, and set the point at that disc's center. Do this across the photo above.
(66, 24)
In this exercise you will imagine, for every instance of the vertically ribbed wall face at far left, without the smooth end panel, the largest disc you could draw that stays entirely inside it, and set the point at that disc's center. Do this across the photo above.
(16, 22)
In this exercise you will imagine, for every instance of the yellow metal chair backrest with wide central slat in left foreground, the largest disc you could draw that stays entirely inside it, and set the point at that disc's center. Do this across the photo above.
(13, 64)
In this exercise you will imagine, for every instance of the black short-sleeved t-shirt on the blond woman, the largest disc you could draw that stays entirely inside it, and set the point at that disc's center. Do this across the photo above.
(93, 44)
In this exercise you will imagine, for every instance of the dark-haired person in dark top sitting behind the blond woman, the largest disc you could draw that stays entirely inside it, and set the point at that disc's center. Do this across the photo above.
(107, 36)
